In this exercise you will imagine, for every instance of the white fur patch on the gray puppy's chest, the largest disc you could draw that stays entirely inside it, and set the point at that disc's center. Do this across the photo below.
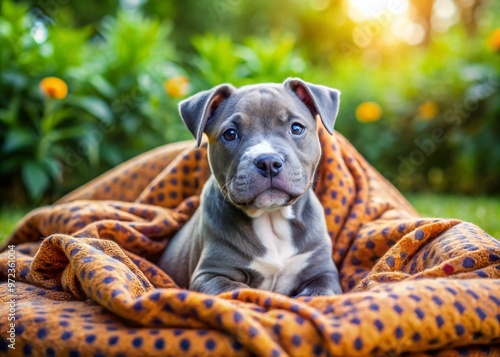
(280, 264)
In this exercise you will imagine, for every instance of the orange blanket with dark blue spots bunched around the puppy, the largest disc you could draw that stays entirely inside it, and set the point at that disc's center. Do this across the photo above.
(87, 284)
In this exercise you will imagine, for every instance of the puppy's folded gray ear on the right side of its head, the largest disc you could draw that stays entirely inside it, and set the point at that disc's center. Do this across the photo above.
(318, 99)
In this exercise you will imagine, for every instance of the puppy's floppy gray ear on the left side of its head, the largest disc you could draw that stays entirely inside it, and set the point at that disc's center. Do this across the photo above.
(197, 109)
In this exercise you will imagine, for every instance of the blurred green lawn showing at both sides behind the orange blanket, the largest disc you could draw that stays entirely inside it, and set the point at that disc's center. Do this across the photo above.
(482, 211)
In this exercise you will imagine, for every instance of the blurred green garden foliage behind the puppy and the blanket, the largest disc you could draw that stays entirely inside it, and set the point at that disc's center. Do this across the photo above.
(116, 61)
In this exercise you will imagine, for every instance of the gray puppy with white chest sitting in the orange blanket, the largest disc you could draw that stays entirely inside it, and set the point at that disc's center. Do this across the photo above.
(259, 225)
